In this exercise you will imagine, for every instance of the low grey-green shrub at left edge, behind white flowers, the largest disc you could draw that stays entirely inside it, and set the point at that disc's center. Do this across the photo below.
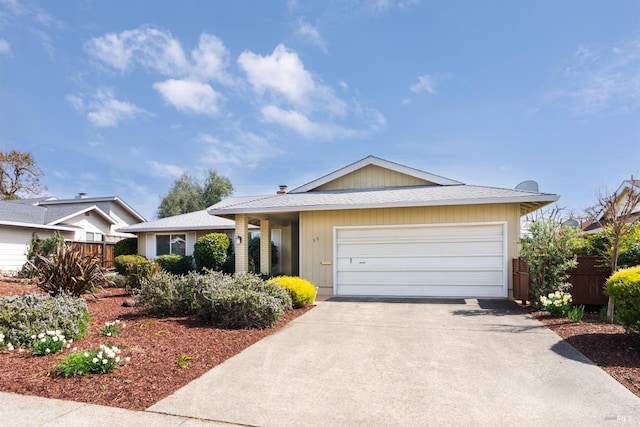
(28, 315)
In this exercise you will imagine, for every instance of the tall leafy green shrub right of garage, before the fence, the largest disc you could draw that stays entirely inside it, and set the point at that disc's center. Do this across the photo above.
(549, 252)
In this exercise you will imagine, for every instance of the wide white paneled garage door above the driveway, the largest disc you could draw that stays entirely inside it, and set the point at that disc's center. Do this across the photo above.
(452, 260)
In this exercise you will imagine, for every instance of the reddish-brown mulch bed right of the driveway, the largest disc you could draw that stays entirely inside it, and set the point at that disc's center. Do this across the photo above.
(606, 345)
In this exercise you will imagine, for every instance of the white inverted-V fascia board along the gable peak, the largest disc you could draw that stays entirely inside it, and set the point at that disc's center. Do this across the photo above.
(372, 160)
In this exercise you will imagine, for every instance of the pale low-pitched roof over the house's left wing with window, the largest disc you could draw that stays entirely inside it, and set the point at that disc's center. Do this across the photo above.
(199, 220)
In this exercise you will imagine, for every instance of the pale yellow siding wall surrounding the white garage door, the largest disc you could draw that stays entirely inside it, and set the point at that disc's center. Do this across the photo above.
(316, 231)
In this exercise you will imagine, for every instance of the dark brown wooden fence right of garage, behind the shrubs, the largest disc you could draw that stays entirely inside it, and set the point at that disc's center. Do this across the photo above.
(587, 280)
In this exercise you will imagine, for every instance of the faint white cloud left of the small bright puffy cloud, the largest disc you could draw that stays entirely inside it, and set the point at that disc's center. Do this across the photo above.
(106, 111)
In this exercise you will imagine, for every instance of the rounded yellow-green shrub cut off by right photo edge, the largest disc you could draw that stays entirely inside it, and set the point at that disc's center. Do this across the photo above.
(624, 289)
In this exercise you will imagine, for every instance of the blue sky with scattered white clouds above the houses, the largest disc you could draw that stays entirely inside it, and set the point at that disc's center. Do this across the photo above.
(120, 97)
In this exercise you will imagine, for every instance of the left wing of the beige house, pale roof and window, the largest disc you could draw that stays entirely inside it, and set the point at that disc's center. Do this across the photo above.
(177, 234)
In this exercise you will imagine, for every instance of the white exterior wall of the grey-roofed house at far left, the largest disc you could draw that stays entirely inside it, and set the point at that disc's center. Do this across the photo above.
(14, 243)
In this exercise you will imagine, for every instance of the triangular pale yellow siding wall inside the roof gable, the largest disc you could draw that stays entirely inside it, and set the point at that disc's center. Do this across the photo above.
(372, 177)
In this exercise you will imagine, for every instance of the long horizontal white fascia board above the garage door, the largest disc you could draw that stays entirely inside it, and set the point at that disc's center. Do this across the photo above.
(480, 201)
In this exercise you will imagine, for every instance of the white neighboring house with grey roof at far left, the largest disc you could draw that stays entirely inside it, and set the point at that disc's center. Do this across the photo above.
(81, 219)
